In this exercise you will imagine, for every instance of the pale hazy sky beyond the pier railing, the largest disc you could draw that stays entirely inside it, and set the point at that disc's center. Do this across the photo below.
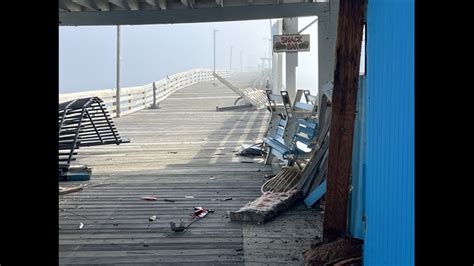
(87, 54)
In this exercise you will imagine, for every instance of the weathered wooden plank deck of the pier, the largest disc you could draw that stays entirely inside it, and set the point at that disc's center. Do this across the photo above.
(185, 148)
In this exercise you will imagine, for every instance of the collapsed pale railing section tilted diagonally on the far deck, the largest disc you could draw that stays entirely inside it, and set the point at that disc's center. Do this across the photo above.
(254, 96)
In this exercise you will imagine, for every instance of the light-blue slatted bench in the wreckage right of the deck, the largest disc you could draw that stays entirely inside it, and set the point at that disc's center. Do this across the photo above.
(301, 142)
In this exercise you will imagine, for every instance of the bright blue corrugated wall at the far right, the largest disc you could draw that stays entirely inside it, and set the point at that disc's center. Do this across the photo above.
(389, 168)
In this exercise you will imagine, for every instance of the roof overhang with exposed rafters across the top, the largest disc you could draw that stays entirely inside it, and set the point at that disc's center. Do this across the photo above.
(134, 12)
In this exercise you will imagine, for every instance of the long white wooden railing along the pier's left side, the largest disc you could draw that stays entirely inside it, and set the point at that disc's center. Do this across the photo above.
(133, 99)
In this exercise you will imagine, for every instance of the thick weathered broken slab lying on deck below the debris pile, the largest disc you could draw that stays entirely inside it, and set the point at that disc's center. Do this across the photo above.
(266, 206)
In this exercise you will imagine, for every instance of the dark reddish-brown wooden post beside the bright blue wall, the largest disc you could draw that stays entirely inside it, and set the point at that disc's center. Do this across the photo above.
(344, 99)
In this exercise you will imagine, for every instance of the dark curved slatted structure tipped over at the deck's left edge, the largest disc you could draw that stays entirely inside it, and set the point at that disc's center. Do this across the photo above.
(83, 122)
